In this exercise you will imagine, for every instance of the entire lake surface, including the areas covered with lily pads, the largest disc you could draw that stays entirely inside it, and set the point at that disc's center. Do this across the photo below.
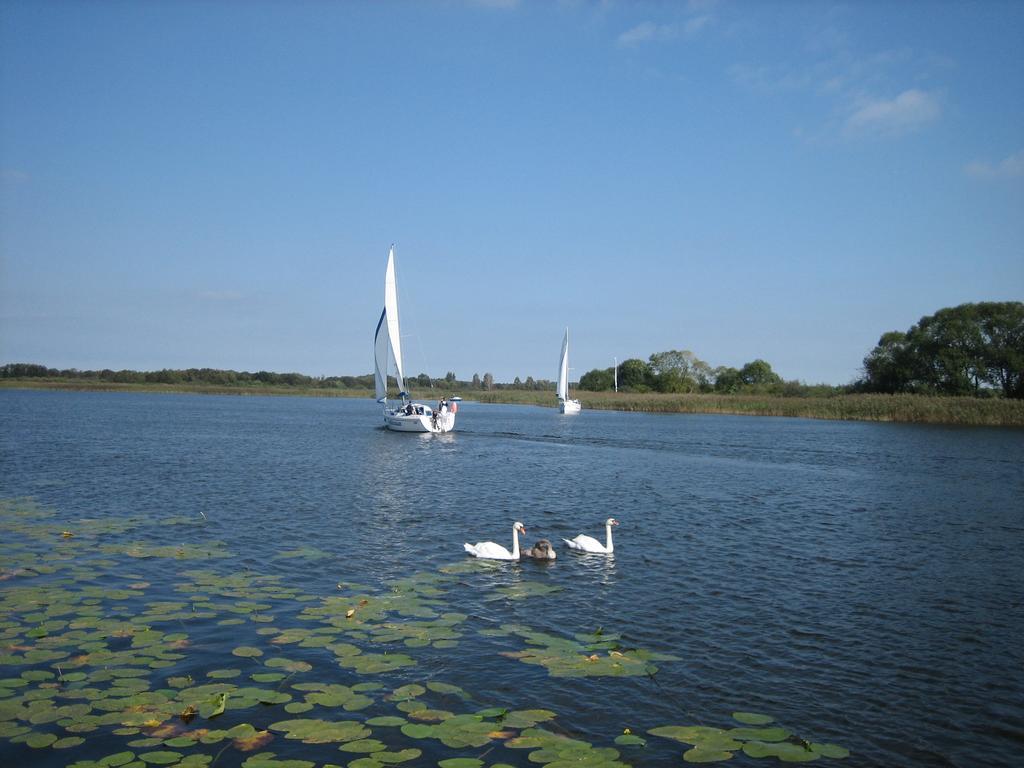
(861, 584)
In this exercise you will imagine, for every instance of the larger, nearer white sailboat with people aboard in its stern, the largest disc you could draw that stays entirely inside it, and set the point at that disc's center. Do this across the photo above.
(405, 416)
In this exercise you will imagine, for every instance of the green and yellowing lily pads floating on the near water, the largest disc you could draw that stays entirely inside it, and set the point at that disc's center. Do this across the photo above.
(106, 644)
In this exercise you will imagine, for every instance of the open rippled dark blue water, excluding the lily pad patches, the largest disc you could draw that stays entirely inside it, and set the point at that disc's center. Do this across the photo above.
(862, 583)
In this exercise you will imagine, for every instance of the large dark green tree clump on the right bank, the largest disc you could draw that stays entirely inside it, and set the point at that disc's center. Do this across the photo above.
(970, 350)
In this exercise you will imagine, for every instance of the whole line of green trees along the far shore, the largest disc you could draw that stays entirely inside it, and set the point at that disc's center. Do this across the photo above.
(972, 350)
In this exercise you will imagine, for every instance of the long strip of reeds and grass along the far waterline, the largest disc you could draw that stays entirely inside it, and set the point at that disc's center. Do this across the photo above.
(913, 409)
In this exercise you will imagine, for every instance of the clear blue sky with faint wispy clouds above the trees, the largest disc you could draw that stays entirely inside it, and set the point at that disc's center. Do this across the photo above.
(217, 184)
